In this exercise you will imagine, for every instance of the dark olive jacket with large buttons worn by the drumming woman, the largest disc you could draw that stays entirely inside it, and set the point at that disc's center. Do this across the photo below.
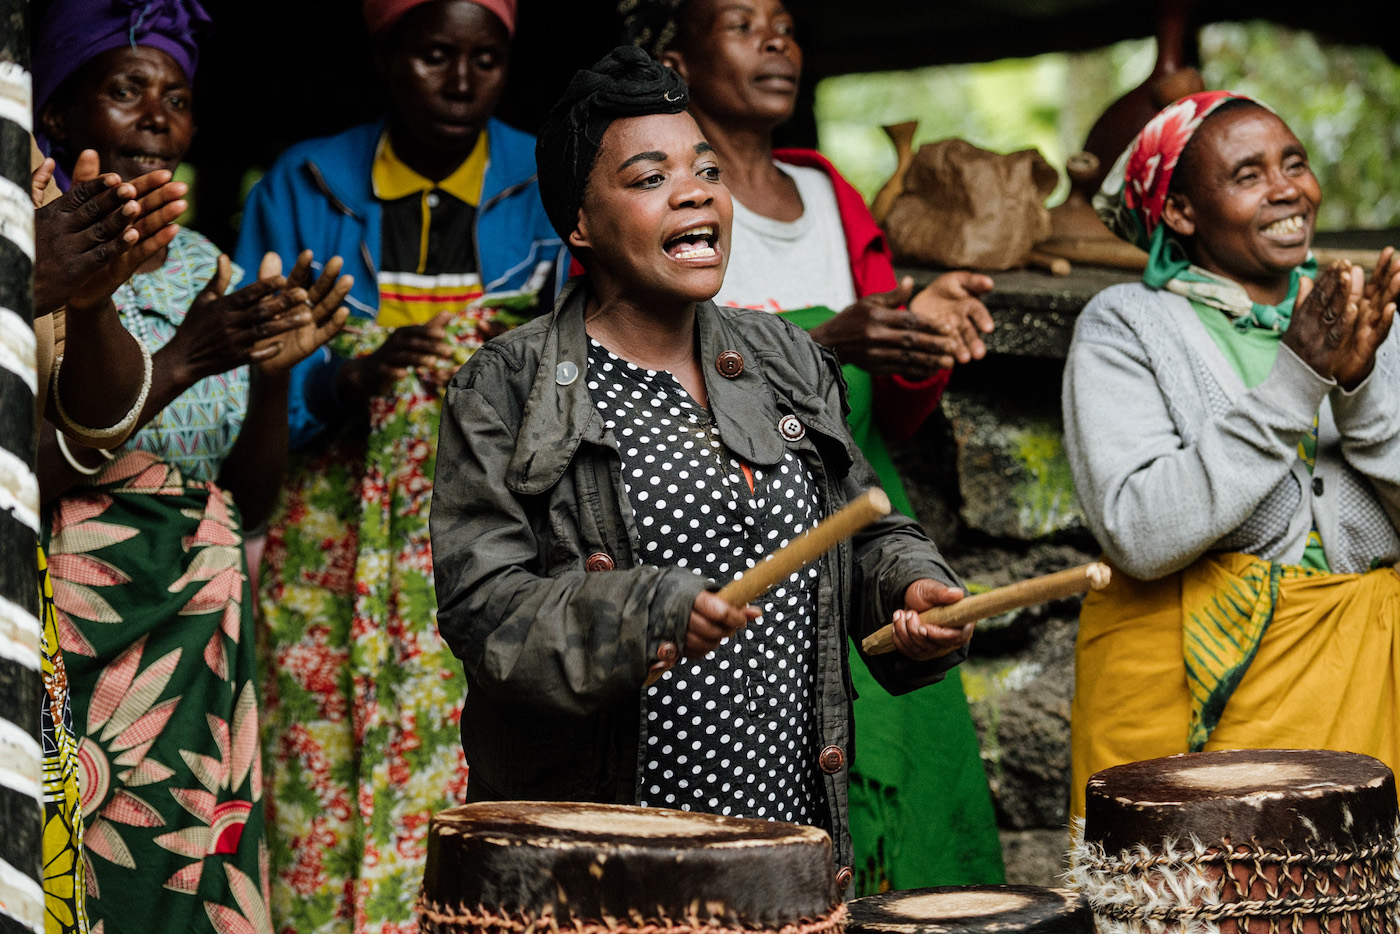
(528, 496)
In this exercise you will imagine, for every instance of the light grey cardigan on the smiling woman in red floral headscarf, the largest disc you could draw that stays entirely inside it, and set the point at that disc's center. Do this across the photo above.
(1174, 457)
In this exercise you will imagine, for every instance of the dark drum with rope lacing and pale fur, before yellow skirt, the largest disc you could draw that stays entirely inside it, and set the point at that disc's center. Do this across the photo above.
(1242, 842)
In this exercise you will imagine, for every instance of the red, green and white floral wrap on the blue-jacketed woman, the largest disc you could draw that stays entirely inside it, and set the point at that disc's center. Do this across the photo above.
(365, 699)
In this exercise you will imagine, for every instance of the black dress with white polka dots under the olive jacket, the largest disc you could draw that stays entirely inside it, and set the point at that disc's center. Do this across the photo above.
(734, 733)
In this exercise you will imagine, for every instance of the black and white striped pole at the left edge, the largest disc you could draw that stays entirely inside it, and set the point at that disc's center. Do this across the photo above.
(22, 804)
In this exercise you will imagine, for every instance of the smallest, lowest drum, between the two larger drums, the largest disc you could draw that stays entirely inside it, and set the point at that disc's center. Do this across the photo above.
(972, 909)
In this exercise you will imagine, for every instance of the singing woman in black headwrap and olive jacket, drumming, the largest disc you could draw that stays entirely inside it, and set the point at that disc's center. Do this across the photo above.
(596, 467)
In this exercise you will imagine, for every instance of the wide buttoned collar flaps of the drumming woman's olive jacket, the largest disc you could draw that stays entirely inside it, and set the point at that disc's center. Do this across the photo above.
(559, 418)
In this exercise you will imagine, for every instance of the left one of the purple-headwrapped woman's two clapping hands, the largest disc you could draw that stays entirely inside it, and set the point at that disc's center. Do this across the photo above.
(223, 333)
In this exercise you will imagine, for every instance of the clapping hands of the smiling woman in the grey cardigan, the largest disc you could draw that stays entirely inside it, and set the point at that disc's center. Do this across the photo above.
(1340, 321)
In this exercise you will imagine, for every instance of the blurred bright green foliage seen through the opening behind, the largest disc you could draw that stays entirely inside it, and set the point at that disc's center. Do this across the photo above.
(1343, 103)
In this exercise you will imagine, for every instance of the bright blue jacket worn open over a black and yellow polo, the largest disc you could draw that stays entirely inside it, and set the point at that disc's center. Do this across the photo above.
(318, 195)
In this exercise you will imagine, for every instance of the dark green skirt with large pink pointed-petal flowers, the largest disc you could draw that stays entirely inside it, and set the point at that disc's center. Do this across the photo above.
(156, 627)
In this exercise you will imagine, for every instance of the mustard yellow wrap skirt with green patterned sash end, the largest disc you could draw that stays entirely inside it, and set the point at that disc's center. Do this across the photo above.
(1237, 653)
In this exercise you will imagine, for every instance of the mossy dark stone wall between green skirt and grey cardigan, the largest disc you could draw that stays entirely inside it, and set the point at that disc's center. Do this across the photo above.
(990, 482)
